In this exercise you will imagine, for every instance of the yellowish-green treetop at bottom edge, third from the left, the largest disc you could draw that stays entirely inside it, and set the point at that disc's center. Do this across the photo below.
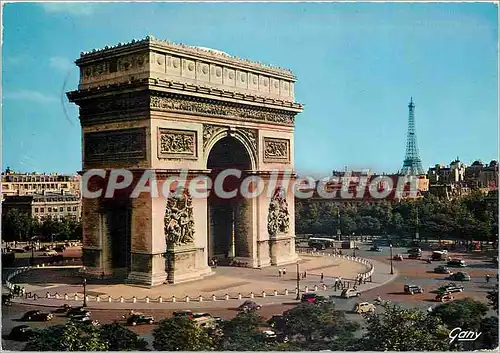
(181, 334)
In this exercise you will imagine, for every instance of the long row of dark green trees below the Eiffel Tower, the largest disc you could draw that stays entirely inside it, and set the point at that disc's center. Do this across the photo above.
(472, 217)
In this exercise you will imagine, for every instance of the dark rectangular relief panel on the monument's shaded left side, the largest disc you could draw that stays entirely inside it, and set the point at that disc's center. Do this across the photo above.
(114, 145)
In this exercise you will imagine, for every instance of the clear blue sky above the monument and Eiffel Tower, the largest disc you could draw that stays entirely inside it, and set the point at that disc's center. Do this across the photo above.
(357, 65)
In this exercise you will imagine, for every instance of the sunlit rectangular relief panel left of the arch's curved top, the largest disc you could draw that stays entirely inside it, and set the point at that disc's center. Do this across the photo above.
(177, 143)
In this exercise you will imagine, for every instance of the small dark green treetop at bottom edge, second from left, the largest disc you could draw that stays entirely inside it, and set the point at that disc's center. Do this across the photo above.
(119, 338)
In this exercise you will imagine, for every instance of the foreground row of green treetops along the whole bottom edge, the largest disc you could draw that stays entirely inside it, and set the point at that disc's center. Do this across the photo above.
(307, 327)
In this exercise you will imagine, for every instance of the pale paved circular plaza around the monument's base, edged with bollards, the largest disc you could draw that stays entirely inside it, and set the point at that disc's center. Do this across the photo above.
(230, 280)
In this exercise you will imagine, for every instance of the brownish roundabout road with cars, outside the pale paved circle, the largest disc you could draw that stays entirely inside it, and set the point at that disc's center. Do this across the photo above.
(409, 272)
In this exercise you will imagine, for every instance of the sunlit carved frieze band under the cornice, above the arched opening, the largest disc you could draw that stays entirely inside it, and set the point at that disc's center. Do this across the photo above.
(220, 109)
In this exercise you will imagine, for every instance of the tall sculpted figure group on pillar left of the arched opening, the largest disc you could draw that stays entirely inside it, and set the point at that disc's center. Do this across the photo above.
(179, 220)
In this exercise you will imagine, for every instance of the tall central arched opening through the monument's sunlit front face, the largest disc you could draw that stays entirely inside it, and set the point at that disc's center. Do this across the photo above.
(228, 219)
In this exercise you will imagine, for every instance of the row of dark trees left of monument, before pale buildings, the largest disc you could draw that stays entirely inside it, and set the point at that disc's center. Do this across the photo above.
(19, 226)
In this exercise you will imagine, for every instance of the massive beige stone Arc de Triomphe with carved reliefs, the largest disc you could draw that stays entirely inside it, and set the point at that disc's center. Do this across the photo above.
(155, 105)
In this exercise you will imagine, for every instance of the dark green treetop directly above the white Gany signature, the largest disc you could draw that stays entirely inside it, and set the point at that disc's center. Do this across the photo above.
(465, 313)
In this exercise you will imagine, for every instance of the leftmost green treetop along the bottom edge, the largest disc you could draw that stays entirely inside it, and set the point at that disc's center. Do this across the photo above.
(69, 337)
